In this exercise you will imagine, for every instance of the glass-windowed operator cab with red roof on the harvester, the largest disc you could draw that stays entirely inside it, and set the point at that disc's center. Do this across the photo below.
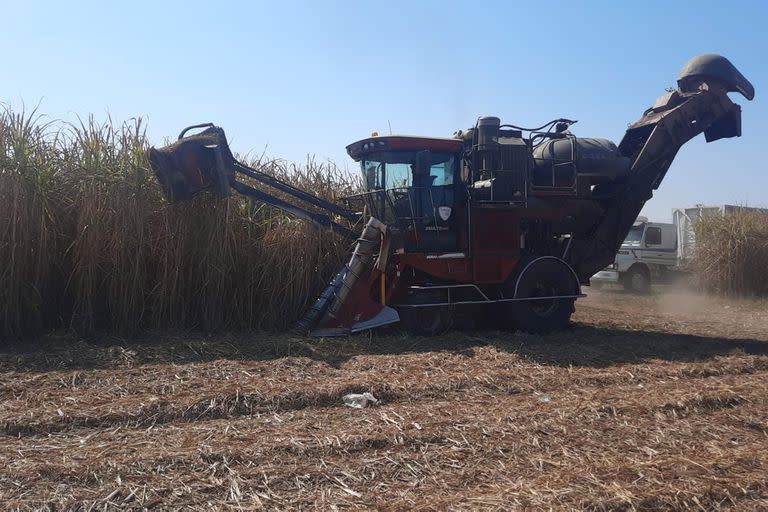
(410, 186)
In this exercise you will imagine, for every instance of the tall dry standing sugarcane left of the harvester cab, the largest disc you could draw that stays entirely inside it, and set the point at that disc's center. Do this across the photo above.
(87, 242)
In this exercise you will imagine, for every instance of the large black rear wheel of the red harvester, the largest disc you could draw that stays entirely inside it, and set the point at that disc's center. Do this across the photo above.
(544, 278)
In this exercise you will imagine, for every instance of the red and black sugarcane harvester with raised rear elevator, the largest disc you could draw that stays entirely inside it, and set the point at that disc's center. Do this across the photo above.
(499, 220)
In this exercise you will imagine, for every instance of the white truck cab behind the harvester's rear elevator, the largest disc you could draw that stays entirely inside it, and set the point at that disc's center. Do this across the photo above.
(646, 256)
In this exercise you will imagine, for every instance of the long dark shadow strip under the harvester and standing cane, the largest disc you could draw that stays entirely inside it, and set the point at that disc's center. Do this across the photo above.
(581, 345)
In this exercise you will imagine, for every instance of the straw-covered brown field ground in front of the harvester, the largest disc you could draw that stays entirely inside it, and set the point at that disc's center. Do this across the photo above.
(646, 403)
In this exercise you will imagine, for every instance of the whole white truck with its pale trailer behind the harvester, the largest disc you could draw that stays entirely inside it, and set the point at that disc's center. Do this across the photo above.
(655, 251)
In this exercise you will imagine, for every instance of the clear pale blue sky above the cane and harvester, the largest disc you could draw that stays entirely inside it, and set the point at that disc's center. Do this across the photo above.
(302, 78)
